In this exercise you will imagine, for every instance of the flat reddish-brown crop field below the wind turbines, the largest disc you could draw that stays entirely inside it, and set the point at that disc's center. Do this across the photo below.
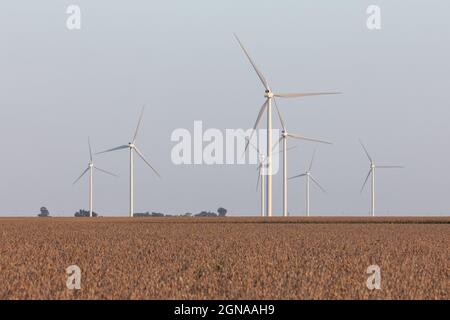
(225, 258)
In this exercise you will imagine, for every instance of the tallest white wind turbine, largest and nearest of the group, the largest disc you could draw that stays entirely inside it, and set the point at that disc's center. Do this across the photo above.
(267, 106)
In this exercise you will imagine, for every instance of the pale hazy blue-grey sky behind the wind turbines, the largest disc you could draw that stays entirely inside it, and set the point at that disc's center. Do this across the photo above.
(180, 58)
